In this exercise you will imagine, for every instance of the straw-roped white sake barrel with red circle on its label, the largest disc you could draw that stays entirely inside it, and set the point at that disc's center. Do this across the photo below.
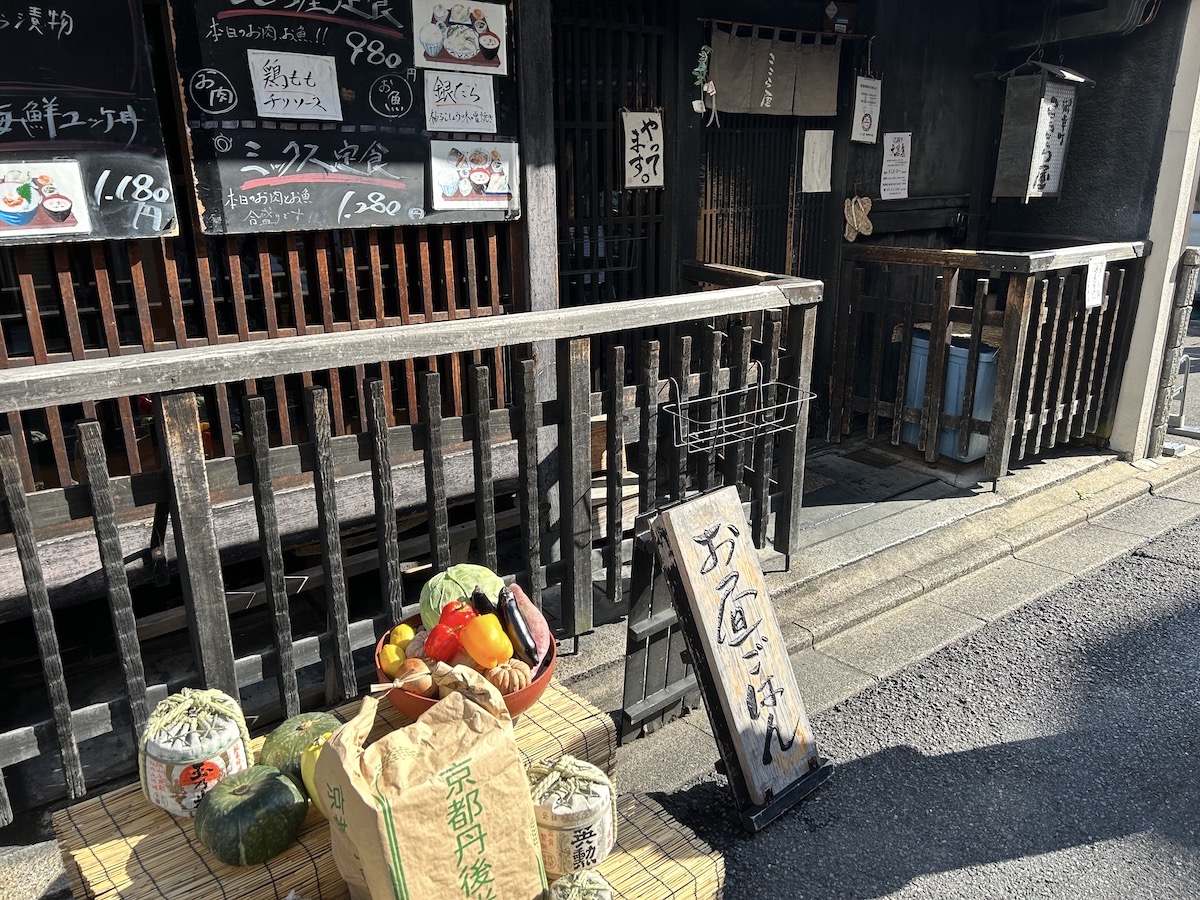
(193, 740)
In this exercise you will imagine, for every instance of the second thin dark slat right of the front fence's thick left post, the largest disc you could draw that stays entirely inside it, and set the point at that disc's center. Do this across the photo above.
(340, 682)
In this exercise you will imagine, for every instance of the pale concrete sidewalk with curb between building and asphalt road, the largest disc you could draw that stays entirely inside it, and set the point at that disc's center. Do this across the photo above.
(901, 561)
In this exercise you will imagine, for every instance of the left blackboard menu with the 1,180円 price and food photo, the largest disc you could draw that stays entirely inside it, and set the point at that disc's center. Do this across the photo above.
(81, 142)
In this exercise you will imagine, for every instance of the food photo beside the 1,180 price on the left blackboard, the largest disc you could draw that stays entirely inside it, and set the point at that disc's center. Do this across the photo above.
(43, 200)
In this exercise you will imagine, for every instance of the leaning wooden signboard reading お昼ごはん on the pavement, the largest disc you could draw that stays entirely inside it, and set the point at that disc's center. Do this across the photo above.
(754, 704)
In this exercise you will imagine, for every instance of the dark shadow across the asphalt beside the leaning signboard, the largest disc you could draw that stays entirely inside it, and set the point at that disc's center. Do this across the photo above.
(1127, 763)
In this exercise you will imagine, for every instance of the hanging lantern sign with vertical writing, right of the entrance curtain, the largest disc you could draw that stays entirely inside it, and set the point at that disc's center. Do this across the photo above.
(1040, 111)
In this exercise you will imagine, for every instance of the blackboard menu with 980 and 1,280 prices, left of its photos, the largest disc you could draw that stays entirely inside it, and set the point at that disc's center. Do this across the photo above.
(302, 115)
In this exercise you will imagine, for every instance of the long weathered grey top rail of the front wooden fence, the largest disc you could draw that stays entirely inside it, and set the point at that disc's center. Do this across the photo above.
(101, 379)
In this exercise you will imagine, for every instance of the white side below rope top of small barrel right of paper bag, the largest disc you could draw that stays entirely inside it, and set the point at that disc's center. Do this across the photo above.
(577, 832)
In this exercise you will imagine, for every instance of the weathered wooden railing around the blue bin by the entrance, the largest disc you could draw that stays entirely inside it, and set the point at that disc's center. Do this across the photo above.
(1055, 340)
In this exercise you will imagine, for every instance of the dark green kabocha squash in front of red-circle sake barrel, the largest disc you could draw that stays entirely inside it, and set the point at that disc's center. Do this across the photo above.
(251, 817)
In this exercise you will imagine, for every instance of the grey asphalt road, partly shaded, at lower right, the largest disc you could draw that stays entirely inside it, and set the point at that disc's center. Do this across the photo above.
(1054, 754)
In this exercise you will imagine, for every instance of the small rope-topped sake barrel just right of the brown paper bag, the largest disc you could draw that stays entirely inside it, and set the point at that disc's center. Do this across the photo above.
(577, 811)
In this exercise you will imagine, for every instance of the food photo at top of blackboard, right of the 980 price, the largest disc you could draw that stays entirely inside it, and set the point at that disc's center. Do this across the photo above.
(461, 37)
